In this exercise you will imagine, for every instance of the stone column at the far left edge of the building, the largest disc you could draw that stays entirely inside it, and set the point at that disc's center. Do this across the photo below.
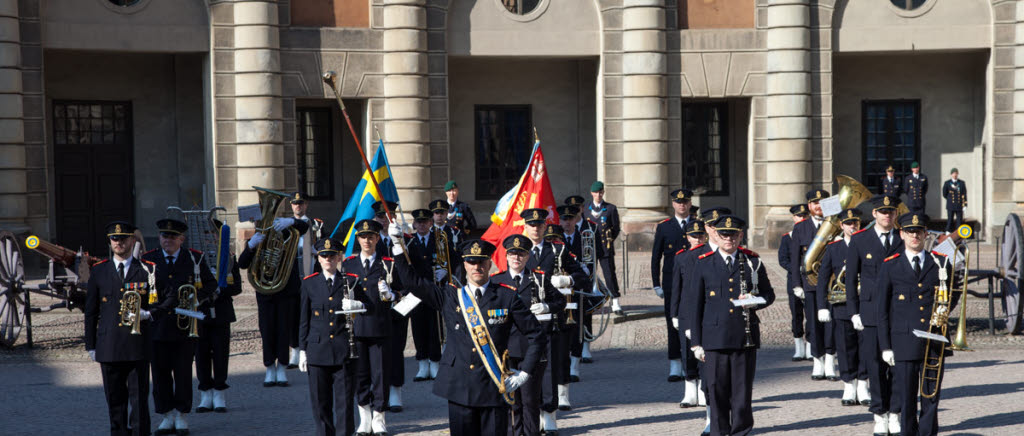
(14, 183)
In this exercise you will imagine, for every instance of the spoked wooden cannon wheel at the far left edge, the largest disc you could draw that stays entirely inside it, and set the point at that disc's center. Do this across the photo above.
(12, 293)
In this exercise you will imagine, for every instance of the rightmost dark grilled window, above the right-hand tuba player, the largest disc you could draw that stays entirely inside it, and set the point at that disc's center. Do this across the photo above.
(891, 136)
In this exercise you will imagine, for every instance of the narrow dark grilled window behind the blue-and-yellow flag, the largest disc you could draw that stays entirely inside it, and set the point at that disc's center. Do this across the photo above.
(316, 178)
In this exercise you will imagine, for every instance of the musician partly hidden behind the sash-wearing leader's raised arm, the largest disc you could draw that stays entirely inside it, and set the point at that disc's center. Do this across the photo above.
(426, 325)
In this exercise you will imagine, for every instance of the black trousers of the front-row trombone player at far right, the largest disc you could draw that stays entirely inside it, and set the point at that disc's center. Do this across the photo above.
(909, 379)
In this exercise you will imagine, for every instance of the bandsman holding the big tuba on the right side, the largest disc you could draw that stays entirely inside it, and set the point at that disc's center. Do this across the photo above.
(820, 335)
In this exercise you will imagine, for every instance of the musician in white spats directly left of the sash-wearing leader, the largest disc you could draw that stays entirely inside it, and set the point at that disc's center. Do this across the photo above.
(374, 329)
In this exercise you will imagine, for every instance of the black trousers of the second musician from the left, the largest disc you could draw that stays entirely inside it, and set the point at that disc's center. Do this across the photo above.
(173, 376)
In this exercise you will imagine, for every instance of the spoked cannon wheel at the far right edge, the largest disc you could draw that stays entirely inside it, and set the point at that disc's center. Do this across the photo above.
(1012, 260)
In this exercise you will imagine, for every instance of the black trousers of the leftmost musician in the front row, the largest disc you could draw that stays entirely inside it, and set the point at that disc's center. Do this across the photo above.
(123, 383)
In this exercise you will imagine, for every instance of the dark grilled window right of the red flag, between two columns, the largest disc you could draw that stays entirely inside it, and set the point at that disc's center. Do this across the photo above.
(706, 148)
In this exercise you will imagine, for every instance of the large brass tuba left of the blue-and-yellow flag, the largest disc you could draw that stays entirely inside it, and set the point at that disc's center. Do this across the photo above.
(275, 256)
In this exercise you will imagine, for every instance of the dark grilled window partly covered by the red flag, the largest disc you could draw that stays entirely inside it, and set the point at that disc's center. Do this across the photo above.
(503, 146)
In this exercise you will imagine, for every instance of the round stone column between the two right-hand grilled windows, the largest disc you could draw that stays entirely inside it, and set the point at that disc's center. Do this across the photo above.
(783, 166)
